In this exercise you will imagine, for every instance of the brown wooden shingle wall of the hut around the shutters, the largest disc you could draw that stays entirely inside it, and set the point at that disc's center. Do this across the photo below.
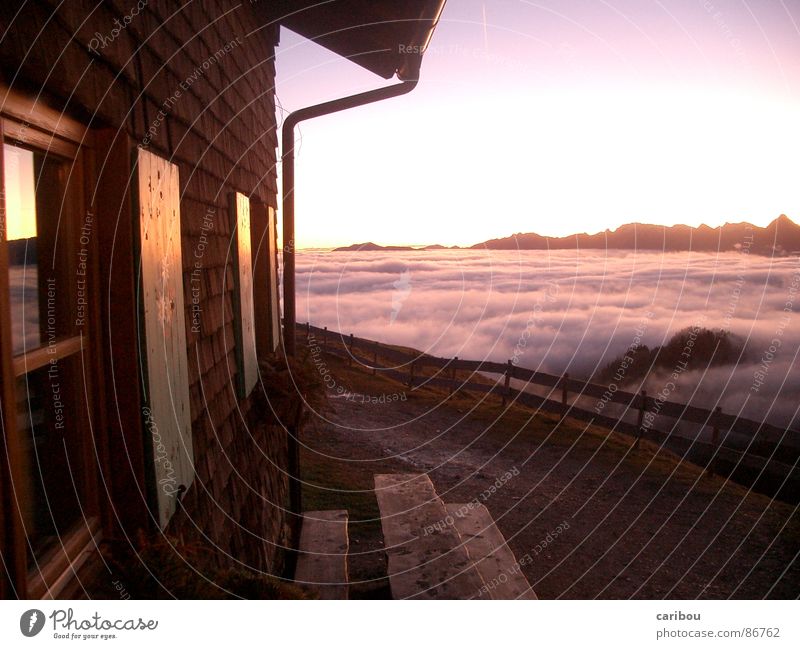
(193, 82)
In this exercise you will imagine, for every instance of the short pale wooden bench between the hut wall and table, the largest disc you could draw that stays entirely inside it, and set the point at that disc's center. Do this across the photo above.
(322, 554)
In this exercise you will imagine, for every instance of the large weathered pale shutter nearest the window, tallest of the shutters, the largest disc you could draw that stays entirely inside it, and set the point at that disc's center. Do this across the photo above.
(168, 427)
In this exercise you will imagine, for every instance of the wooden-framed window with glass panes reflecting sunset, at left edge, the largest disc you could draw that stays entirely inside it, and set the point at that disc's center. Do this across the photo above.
(47, 392)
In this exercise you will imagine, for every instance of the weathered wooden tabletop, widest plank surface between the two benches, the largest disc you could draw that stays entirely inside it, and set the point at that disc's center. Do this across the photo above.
(426, 557)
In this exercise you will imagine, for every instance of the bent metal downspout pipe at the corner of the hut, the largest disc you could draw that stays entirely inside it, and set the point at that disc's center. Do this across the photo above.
(287, 162)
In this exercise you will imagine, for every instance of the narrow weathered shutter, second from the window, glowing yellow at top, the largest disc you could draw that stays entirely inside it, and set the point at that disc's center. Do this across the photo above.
(244, 316)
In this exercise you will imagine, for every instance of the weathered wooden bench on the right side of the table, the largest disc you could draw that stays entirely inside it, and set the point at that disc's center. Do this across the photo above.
(487, 549)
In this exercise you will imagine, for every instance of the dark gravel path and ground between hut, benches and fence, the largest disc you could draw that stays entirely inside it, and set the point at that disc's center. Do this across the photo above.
(586, 515)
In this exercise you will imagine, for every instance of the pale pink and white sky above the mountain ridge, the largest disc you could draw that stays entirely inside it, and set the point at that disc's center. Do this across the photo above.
(556, 116)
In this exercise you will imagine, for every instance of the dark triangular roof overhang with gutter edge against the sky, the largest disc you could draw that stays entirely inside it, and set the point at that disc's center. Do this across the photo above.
(387, 37)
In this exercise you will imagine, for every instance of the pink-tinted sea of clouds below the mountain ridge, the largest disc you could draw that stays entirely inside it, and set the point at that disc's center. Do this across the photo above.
(573, 311)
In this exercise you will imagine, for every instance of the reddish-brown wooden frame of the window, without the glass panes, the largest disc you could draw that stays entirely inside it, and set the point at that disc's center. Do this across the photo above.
(26, 122)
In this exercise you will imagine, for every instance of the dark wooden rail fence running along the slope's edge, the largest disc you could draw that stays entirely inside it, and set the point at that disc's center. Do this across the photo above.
(768, 462)
